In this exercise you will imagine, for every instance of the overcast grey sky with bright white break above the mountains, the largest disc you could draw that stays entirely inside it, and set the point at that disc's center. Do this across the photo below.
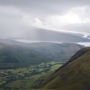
(20, 16)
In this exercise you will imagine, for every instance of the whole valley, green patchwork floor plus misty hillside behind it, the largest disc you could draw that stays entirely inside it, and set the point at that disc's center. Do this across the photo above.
(27, 65)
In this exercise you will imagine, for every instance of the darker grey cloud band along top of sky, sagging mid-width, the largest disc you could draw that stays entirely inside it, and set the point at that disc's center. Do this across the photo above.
(44, 6)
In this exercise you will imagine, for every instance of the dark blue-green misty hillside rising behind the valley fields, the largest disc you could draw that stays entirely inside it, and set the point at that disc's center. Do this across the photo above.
(16, 54)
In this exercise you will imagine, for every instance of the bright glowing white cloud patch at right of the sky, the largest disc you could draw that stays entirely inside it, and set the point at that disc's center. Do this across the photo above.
(73, 20)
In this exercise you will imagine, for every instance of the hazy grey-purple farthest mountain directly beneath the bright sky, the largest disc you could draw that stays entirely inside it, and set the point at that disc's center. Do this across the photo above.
(54, 36)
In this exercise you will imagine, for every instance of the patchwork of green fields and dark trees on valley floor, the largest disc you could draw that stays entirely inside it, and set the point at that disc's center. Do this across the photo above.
(26, 78)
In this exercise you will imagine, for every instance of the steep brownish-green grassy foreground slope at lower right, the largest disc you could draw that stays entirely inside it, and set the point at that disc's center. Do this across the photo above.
(74, 75)
